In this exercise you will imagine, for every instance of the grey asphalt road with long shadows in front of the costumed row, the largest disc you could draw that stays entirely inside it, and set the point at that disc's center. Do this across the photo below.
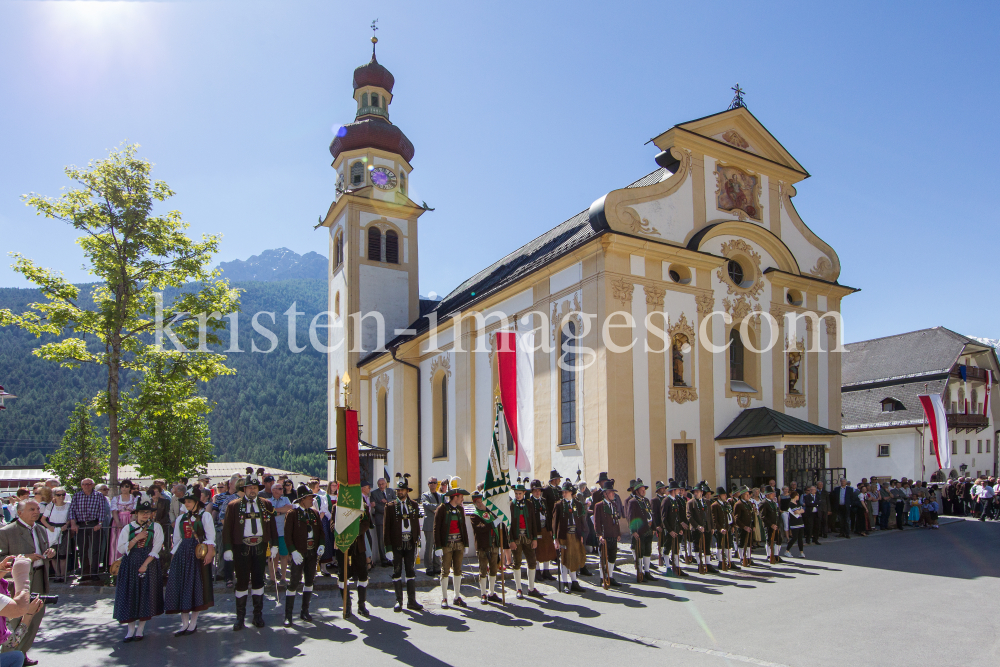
(919, 596)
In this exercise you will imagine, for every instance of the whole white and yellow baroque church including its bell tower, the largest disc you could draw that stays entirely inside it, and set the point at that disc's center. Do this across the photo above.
(658, 298)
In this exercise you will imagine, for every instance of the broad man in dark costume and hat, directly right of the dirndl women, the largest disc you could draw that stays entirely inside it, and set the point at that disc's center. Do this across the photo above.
(249, 535)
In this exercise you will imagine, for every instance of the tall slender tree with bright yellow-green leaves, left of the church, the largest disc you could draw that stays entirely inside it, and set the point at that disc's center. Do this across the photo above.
(135, 254)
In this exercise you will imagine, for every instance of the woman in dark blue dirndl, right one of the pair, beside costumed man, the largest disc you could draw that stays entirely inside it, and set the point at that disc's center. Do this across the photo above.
(189, 582)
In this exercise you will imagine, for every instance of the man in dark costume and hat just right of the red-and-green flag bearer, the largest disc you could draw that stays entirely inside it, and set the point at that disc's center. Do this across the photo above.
(402, 537)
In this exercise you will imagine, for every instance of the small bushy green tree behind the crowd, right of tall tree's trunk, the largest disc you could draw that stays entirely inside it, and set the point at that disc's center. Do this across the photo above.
(173, 438)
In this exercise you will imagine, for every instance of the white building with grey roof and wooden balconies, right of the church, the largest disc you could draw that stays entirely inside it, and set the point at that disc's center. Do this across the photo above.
(886, 434)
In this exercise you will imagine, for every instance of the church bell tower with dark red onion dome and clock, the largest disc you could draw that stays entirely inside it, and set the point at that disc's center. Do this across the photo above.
(373, 235)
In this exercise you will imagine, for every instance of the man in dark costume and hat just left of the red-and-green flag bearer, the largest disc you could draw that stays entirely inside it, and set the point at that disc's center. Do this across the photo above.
(304, 537)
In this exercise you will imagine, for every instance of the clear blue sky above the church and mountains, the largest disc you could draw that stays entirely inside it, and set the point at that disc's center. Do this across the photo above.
(522, 114)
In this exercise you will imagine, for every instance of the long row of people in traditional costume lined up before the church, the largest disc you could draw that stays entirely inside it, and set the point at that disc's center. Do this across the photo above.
(548, 524)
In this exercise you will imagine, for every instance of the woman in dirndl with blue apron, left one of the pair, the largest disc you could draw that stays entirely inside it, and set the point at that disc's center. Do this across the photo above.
(139, 583)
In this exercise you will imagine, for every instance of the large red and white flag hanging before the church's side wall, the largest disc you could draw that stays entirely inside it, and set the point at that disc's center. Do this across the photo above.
(516, 370)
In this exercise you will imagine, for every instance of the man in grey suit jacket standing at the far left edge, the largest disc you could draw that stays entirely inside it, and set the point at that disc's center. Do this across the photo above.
(26, 537)
